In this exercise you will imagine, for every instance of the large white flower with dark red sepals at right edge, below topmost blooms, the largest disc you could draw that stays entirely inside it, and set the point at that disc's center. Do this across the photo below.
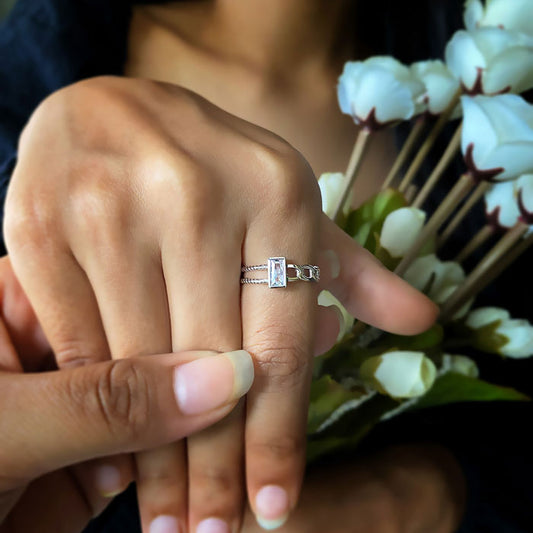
(497, 138)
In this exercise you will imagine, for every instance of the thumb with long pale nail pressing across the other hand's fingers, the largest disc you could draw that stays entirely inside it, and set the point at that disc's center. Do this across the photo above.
(54, 419)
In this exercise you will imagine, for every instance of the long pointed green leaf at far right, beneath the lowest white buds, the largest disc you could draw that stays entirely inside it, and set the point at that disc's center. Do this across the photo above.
(453, 387)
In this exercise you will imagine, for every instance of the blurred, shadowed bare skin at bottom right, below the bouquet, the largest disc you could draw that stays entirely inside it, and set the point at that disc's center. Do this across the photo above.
(409, 489)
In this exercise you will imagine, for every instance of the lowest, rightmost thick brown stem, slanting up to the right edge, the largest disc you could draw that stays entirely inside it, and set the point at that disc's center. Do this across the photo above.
(486, 270)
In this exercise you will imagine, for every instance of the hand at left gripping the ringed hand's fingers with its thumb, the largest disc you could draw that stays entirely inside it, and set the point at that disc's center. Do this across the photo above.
(50, 420)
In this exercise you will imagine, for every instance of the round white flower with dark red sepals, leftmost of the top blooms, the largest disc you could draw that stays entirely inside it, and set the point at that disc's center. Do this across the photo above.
(378, 91)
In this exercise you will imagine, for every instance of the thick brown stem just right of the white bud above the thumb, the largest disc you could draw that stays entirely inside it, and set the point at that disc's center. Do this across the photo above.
(463, 186)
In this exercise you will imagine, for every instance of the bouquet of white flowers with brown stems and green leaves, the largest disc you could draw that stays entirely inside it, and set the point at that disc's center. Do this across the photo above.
(370, 375)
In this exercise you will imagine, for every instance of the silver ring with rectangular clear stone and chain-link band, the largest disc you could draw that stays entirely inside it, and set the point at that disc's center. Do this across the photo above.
(278, 273)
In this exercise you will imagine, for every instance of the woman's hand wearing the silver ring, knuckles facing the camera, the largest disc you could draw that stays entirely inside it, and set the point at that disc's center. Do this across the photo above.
(131, 210)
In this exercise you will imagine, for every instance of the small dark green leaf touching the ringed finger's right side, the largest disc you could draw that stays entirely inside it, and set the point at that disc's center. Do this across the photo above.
(326, 396)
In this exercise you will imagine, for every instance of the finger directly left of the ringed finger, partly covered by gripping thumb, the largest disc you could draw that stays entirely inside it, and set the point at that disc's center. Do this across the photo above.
(205, 313)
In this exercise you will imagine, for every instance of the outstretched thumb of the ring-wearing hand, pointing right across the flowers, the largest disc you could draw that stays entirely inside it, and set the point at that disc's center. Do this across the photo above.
(368, 290)
